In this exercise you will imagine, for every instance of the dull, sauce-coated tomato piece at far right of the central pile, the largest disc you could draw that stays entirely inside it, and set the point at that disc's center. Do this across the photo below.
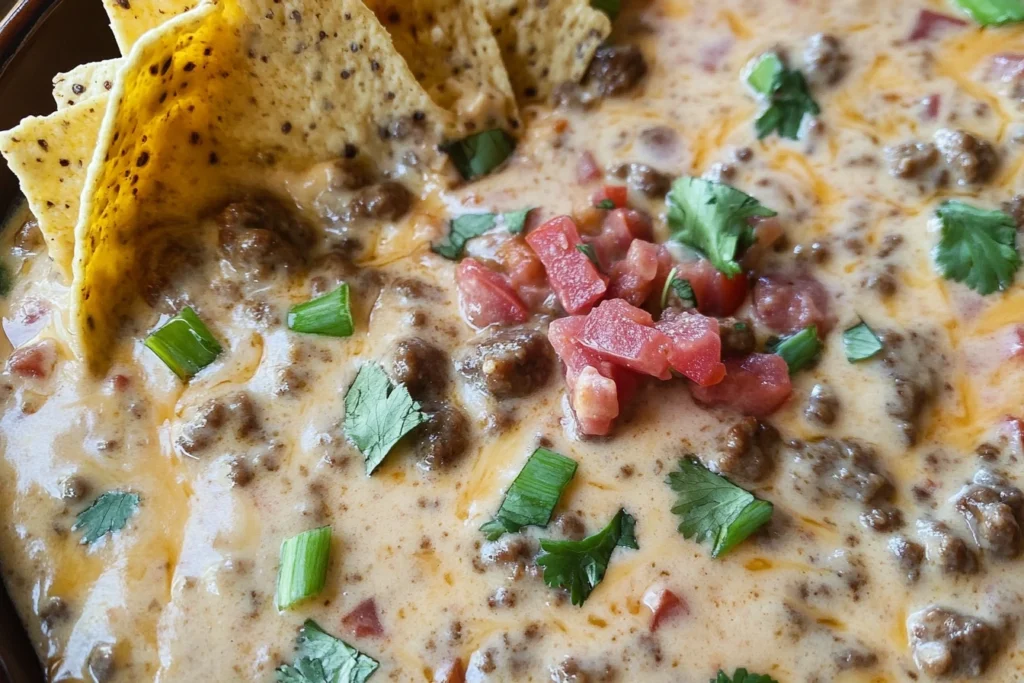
(790, 304)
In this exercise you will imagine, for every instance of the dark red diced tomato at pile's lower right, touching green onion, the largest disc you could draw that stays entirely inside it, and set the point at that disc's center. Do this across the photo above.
(756, 386)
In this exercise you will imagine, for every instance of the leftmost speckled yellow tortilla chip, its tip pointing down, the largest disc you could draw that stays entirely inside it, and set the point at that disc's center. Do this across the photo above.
(51, 157)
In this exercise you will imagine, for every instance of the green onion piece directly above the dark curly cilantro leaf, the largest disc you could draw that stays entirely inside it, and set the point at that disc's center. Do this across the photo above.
(534, 495)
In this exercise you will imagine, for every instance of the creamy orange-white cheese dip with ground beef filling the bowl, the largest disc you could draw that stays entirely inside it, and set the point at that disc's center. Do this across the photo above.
(252, 451)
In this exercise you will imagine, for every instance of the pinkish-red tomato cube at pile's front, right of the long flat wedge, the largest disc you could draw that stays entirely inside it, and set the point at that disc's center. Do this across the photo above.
(697, 348)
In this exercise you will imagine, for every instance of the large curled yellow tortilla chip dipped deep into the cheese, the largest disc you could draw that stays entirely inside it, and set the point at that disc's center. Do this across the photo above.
(205, 105)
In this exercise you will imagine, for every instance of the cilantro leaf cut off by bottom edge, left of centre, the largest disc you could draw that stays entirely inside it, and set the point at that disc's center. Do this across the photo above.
(320, 658)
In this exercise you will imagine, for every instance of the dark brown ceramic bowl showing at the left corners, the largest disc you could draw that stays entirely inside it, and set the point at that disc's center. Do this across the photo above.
(38, 39)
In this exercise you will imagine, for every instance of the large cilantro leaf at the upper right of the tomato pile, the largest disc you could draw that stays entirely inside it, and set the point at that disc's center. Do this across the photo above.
(712, 218)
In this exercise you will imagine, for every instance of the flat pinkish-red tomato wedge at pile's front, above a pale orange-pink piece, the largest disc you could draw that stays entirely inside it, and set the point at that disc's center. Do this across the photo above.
(625, 335)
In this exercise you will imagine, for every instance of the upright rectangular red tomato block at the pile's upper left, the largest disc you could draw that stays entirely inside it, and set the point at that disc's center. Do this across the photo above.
(572, 275)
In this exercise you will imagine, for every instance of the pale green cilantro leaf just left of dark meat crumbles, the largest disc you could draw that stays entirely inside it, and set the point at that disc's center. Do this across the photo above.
(378, 415)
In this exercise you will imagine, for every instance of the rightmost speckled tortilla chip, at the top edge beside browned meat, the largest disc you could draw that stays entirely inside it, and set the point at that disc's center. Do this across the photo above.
(545, 45)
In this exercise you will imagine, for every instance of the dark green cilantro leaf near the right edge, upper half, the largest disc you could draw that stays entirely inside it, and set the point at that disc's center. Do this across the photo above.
(977, 247)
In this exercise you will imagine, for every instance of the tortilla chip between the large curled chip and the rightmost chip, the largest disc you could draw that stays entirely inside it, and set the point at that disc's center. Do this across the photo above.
(452, 51)
